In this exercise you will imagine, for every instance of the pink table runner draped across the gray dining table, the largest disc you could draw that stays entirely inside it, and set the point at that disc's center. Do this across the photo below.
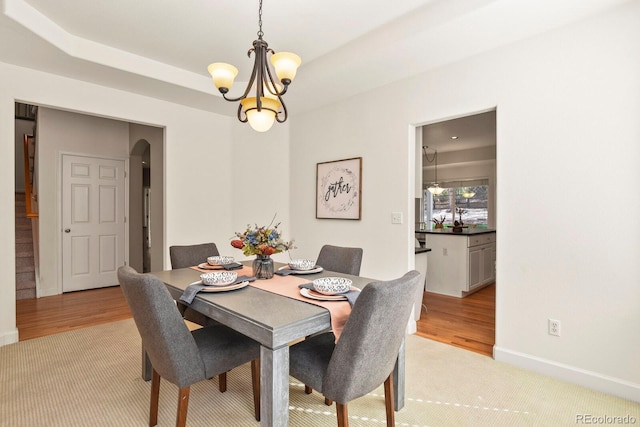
(288, 286)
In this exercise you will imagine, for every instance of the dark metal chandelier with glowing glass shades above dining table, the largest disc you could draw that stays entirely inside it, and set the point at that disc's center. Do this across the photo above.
(267, 105)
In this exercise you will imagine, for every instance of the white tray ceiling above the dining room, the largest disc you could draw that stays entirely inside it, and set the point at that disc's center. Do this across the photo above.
(161, 48)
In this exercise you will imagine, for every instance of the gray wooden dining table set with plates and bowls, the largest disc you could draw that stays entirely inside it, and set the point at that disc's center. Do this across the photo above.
(273, 320)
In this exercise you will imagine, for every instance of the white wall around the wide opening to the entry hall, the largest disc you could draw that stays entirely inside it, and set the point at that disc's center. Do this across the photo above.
(197, 168)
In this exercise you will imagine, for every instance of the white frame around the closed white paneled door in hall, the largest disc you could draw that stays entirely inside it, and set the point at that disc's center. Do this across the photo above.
(59, 225)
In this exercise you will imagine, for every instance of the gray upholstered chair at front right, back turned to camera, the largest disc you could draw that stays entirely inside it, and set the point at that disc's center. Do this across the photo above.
(366, 352)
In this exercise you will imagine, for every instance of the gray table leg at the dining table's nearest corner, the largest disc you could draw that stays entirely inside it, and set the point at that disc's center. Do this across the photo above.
(274, 386)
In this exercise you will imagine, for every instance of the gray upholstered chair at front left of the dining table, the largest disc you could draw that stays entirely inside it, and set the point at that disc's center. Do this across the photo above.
(176, 354)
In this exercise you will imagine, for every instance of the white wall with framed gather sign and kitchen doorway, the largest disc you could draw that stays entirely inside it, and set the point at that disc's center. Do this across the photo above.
(567, 125)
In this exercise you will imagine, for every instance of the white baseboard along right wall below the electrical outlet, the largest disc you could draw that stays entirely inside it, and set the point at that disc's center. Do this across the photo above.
(593, 380)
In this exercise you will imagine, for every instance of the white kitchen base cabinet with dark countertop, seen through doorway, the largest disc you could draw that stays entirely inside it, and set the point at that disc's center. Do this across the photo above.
(460, 263)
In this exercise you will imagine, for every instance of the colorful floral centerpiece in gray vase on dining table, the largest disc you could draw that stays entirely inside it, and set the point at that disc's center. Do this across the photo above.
(262, 242)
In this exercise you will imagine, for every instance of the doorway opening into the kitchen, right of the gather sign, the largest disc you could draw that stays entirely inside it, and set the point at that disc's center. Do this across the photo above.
(466, 169)
